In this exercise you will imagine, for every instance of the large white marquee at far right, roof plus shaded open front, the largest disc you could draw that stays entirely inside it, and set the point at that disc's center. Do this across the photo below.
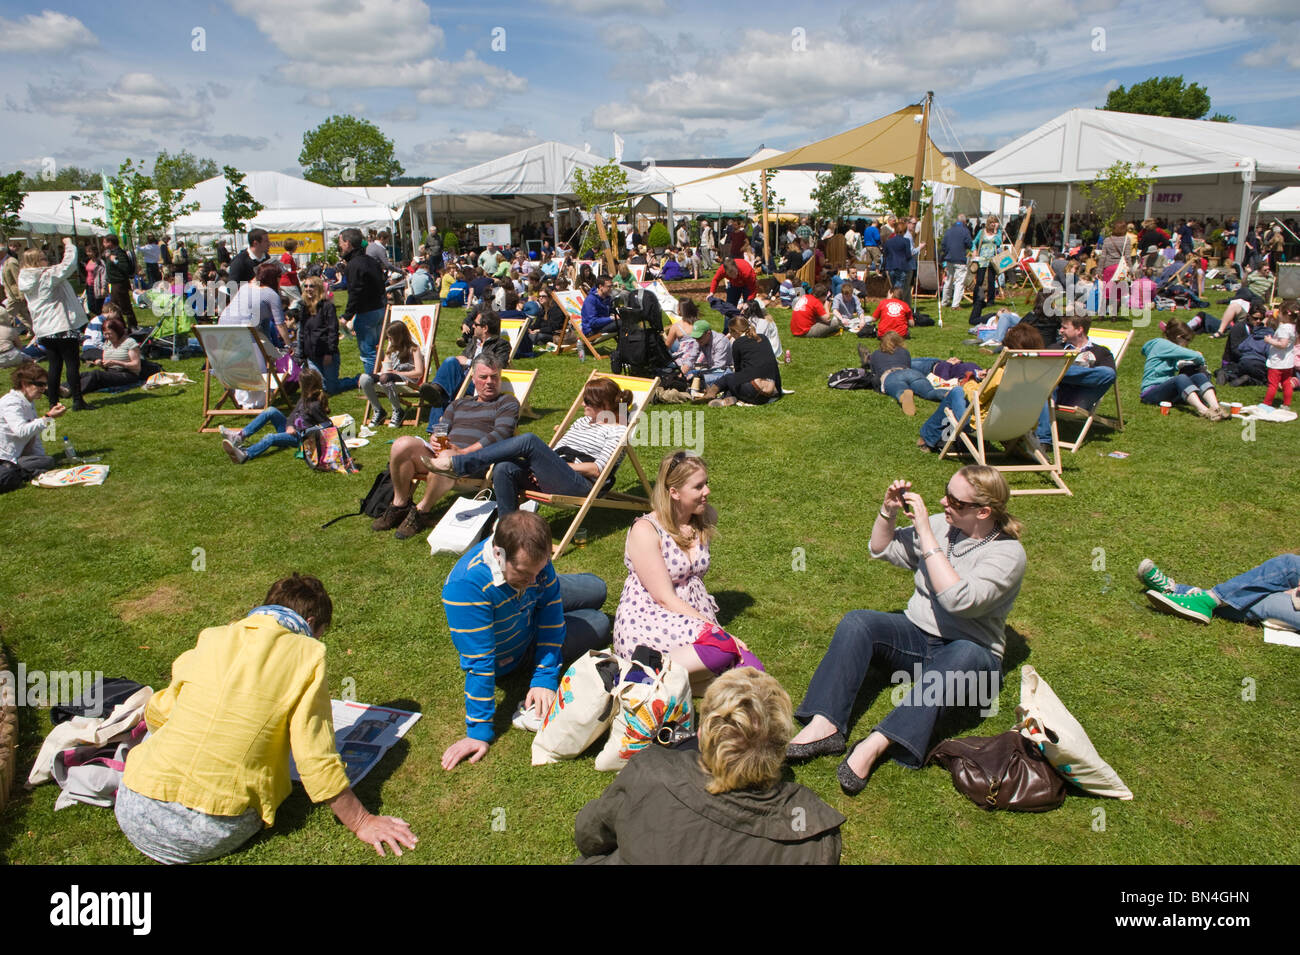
(1202, 168)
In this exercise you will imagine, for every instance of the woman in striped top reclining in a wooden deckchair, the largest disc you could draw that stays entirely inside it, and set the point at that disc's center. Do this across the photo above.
(527, 463)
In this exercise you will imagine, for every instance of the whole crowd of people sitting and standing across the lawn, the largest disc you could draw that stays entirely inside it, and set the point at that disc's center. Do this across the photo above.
(508, 609)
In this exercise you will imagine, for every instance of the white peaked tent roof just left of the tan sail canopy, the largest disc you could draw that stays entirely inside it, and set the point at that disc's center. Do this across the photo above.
(527, 181)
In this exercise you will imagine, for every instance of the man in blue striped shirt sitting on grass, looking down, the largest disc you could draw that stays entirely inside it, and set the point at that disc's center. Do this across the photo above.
(508, 609)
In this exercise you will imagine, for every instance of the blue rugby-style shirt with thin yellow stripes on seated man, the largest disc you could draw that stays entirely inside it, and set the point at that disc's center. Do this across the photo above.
(495, 630)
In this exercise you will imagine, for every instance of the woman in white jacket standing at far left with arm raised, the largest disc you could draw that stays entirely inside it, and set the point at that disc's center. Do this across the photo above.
(57, 318)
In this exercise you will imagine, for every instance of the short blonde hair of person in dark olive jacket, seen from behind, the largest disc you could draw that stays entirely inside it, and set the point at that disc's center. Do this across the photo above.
(744, 728)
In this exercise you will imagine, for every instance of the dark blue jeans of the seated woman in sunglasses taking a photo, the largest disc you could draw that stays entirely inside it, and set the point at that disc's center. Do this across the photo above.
(892, 640)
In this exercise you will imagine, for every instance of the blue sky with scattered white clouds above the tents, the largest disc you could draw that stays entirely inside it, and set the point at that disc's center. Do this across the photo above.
(452, 85)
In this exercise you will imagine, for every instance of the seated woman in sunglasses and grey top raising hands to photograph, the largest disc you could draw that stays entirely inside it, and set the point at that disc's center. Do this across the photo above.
(969, 565)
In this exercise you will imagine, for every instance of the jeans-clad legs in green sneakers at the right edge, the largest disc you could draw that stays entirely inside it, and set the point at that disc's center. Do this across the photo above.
(1269, 592)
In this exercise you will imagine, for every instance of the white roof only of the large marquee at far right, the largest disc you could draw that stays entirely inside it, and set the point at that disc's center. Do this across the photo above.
(1082, 144)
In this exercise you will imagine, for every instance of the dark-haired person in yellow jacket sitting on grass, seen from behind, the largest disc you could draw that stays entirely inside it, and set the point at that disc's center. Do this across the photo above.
(215, 767)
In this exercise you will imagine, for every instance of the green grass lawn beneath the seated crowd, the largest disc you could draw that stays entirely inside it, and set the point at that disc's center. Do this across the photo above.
(102, 579)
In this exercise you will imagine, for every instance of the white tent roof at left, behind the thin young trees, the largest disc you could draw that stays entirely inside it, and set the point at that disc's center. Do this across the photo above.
(291, 206)
